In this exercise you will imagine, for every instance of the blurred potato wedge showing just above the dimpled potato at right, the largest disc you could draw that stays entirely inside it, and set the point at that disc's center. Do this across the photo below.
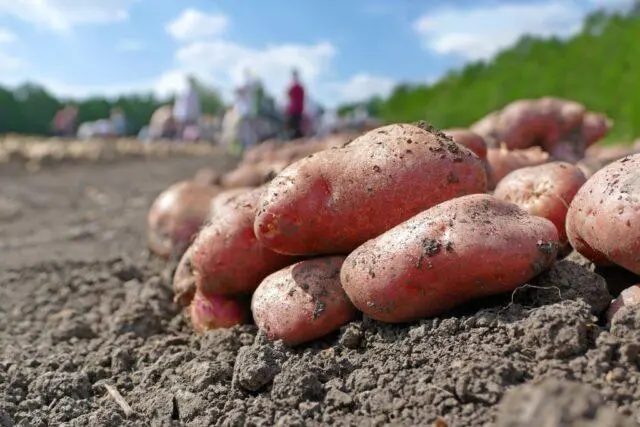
(503, 161)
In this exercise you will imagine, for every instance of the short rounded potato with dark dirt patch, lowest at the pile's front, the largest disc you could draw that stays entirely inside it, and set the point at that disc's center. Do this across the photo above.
(303, 302)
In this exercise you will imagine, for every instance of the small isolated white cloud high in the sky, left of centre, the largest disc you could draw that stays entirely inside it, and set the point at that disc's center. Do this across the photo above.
(193, 24)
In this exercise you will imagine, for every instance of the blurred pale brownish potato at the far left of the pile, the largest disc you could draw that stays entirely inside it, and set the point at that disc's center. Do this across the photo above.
(176, 216)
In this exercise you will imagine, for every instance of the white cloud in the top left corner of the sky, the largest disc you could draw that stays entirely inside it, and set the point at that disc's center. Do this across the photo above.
(62, 15)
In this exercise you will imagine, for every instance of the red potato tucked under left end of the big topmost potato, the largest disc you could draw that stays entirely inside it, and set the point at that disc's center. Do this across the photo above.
(227, 258)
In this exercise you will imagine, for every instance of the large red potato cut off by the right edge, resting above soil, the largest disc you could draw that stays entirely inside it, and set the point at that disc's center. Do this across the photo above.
(603, 221)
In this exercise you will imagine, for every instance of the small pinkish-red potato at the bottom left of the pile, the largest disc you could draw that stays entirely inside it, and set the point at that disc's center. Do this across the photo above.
(209, 311)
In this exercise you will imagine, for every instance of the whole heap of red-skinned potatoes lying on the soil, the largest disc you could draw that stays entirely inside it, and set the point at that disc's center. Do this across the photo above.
(398, 224)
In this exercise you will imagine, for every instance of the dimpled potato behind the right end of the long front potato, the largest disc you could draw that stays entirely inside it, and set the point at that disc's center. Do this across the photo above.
(543, 190)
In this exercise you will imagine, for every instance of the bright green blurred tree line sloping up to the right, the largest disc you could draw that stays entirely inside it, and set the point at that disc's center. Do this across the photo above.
(599, 66)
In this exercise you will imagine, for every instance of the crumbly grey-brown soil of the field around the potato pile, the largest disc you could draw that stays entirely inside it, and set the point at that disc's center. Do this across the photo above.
(89, 335)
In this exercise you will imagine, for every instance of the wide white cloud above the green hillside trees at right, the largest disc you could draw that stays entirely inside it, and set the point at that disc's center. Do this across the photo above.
(479, 33)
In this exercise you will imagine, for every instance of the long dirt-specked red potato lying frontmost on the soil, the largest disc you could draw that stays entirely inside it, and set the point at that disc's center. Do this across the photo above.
(465, 248)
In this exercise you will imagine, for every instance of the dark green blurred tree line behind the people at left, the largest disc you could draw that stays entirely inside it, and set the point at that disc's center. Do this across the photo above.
(30, 108)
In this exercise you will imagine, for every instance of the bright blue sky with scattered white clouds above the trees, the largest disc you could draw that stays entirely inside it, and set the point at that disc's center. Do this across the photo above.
(346, 50)
